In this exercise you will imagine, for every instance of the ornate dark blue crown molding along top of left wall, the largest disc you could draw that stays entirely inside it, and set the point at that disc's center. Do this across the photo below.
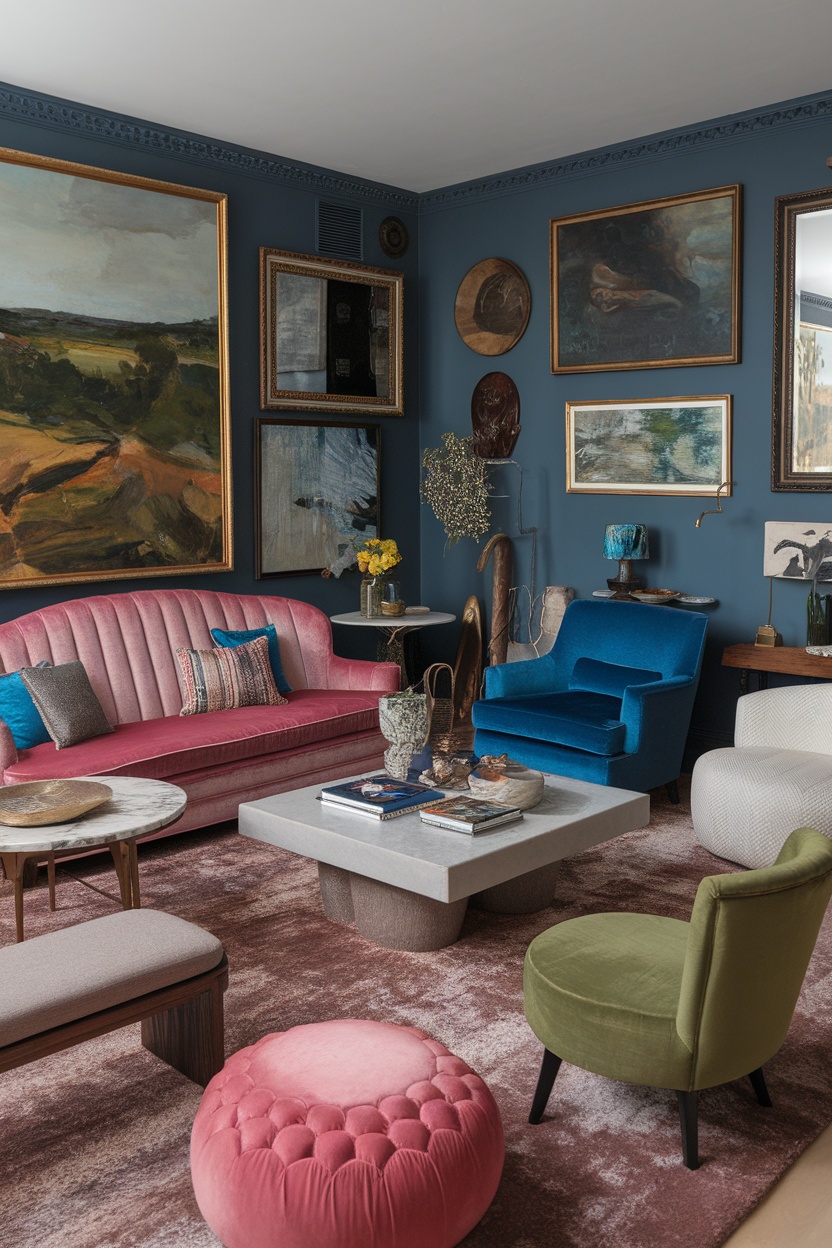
(62, 115)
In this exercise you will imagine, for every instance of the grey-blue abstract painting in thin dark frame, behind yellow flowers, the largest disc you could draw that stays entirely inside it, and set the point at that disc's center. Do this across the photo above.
(316, 495)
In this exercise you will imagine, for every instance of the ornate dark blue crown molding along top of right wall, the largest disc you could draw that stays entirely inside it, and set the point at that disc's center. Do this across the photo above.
(653, 148)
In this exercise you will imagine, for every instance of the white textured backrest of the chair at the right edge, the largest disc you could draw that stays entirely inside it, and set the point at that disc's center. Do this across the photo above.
(795, 718)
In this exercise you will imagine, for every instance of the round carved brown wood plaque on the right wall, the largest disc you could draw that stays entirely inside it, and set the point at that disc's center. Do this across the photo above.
(493, 306)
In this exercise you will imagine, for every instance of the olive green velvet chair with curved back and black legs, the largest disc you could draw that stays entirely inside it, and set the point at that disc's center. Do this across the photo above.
(683, 1005)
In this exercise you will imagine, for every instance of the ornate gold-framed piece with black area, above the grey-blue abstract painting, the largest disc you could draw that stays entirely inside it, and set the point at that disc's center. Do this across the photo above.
(331, 335)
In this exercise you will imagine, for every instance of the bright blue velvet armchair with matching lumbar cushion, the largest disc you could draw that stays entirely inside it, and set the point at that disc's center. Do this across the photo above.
(611, 703)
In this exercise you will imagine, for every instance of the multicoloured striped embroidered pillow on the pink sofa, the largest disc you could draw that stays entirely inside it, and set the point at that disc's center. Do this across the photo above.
(225, 680)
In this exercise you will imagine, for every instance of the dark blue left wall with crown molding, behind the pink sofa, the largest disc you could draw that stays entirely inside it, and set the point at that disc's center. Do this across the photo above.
(270, 204)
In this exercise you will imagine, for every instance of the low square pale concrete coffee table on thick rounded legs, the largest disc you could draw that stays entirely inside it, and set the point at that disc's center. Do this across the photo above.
(407, 885)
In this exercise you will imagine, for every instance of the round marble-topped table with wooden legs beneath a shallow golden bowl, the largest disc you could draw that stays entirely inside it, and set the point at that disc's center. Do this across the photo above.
(138, 807)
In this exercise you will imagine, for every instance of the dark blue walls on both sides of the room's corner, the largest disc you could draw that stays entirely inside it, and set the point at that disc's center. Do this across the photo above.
(271, 203)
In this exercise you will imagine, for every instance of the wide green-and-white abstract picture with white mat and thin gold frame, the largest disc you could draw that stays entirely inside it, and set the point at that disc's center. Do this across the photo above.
(669, 446)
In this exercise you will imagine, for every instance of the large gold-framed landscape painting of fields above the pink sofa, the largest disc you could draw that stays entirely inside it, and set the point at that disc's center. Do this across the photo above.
(114, 407)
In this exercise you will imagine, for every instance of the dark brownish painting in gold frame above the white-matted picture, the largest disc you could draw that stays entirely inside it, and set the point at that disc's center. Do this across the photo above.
(653, 285)
